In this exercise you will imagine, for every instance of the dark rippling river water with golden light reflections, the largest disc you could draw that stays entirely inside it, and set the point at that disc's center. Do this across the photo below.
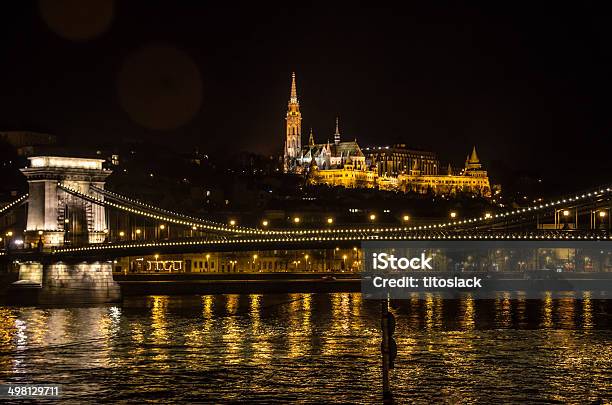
(313, 348)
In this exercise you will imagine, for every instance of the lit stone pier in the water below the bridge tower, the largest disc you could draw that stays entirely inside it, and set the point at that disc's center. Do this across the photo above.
(65, 284)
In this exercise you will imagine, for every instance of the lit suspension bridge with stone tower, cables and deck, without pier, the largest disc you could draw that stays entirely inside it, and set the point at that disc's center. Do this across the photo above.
(71, 214)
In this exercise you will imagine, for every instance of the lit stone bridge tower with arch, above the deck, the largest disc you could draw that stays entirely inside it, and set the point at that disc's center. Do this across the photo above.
(56, 217)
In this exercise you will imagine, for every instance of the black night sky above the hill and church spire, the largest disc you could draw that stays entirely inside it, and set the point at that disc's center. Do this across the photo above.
(528, 84)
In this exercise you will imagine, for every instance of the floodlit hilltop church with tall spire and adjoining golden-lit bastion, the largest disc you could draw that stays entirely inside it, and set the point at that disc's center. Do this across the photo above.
(342, 163)
